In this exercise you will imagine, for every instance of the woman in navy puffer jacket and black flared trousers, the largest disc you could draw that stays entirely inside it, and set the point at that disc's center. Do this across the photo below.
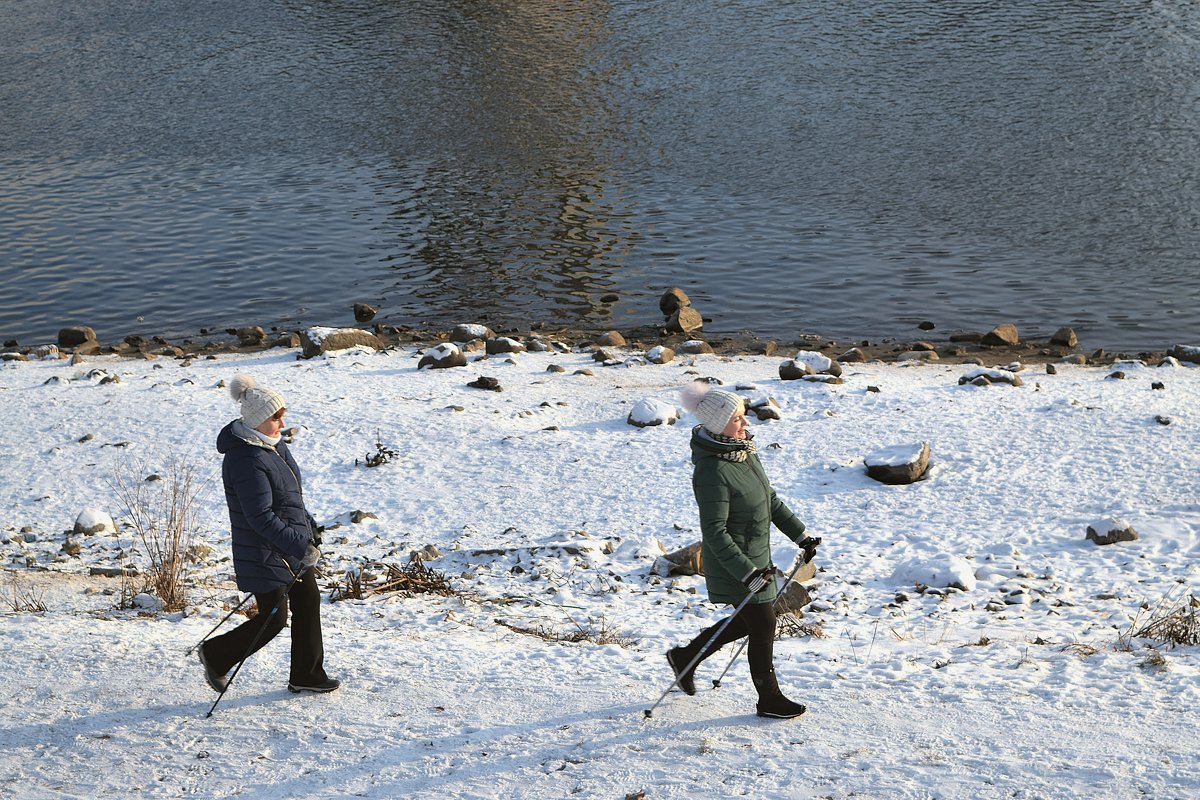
(274, 544)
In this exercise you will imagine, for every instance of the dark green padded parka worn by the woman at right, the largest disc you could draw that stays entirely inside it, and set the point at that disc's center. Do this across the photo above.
(737, 508)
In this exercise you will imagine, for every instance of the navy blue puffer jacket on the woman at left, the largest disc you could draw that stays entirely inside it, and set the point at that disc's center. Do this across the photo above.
(267, 514)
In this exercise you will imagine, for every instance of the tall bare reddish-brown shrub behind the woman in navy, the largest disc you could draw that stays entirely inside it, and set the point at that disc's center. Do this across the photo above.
(164, 515)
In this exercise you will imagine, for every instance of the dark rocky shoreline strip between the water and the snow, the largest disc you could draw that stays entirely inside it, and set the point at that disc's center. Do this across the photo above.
(939, 347)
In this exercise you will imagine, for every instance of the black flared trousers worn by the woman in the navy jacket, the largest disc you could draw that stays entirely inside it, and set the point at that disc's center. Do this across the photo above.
(223, 653)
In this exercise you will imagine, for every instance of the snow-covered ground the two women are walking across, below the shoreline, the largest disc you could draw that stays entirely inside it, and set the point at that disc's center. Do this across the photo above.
(549, 510)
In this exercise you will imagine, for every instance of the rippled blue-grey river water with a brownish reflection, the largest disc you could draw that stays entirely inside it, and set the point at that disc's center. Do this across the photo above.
(844, 169)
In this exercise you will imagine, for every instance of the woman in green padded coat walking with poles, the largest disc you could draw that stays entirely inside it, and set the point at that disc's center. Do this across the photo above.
(737, 508)
